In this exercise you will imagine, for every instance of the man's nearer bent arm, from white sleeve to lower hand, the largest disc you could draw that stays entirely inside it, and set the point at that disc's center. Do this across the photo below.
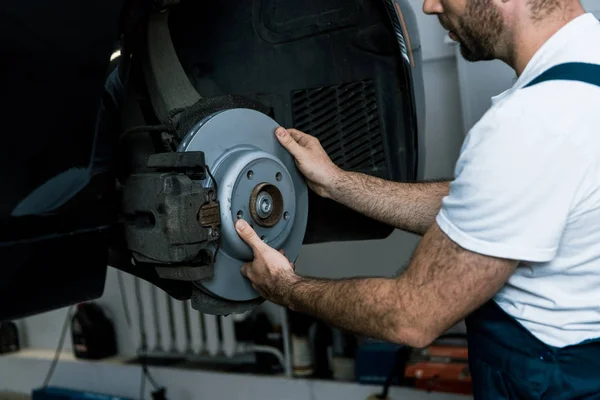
(442, 284)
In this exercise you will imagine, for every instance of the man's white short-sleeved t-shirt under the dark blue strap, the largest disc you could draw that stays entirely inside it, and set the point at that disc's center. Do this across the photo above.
(527, 187)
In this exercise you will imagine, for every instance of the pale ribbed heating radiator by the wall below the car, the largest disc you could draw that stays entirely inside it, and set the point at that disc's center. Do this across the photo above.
(165, 327)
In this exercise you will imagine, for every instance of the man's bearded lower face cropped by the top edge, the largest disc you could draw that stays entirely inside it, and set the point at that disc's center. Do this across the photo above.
(477, 25)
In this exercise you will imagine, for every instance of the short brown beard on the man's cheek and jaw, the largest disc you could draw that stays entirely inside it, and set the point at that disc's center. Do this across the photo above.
(480, 31)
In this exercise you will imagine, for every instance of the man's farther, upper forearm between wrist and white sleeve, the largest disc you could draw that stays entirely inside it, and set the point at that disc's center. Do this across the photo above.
(408, 206)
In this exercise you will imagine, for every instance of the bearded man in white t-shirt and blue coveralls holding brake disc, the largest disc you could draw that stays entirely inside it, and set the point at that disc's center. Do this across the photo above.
(512, 244)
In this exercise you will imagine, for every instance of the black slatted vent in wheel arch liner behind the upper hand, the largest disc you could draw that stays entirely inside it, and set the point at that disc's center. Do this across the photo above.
(345, 118)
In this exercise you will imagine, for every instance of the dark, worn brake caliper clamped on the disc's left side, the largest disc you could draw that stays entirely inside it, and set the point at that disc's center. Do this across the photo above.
(170, 218)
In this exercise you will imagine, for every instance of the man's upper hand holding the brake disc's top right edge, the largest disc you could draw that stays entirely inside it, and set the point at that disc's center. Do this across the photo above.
(311, 159)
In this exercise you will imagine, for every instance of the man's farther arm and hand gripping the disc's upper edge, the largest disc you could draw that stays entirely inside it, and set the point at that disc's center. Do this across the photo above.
(408, 206)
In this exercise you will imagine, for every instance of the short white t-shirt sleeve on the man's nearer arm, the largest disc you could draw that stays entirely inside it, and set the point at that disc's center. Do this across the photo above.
(513, 189)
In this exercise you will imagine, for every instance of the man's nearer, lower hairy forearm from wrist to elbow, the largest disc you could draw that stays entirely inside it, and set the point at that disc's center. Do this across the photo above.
(370, 307)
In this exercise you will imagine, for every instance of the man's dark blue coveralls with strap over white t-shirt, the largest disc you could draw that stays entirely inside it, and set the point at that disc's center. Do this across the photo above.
(505, 359)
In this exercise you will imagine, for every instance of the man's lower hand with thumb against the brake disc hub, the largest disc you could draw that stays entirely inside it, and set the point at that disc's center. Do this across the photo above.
(271, 274)
